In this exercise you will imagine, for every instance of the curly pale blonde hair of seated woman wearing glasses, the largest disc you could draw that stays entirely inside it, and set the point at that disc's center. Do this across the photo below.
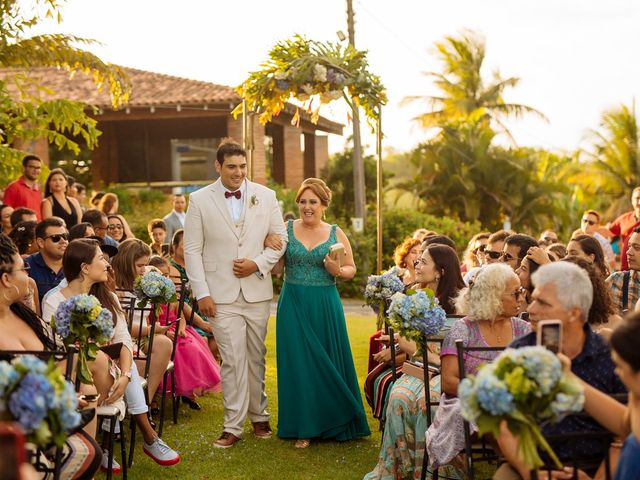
(482, 299)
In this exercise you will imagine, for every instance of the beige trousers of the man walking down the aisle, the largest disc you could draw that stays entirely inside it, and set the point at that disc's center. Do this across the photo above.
(240, 329)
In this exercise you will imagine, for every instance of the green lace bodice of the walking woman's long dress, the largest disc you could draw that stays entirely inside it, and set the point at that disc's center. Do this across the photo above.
(305, 267)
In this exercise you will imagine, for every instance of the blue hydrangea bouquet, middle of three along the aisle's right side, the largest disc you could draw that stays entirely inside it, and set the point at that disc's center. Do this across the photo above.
(415, 315)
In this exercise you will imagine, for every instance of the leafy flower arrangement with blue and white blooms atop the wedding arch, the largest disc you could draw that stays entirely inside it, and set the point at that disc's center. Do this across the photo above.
(314, 73)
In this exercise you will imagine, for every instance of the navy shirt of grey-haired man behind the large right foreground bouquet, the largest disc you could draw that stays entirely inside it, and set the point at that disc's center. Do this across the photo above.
(595, 366)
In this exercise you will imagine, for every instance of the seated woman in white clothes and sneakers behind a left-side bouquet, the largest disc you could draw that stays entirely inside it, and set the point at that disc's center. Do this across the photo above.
(86, 273)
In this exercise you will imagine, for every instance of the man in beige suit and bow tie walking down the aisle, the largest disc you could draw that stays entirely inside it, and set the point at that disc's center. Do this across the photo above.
(230, 274)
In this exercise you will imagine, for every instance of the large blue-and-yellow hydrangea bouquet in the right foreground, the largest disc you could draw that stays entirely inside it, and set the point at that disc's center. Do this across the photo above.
(527, 388)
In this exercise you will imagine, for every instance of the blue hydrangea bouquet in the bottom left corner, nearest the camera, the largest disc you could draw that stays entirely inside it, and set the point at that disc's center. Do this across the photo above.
(36, 395)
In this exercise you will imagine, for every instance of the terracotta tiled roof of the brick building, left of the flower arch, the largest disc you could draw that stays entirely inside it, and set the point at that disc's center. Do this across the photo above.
(148, 88)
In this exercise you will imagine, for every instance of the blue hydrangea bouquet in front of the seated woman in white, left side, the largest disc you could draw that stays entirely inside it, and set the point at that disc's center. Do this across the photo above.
(80, 321)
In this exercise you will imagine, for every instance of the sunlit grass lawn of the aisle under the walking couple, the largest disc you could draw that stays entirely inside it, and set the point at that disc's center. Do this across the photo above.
(264, 459)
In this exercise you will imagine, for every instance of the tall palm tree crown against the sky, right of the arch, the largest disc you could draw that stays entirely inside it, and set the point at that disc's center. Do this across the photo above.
(464, 92)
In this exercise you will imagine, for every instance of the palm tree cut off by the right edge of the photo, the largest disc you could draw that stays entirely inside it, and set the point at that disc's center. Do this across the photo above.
(614, 158)
